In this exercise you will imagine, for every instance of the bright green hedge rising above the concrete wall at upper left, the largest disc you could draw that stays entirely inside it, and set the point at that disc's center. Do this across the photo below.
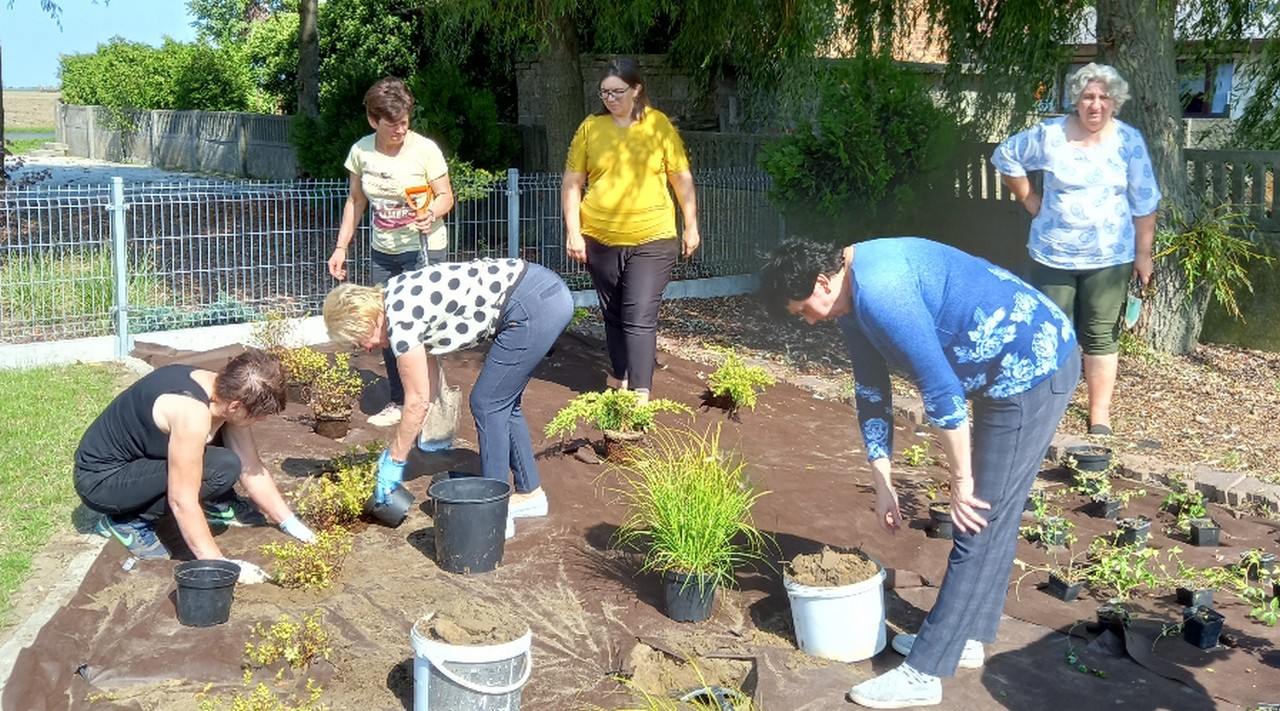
(125, 75)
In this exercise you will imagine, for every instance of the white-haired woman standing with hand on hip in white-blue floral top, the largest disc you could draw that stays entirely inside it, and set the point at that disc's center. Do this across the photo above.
(1094, 227)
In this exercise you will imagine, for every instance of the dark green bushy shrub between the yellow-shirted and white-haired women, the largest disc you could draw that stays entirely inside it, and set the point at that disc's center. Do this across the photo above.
(872, 135)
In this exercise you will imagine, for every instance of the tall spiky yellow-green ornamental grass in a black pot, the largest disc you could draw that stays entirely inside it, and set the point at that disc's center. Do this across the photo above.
(689, 507)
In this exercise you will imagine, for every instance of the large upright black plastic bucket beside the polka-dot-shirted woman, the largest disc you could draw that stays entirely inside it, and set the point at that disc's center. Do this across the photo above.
(470, 523)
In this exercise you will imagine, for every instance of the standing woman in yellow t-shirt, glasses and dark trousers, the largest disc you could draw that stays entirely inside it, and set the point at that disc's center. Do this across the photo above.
(624, 230)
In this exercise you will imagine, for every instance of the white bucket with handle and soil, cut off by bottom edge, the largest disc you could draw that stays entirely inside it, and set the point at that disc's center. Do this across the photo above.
(469, 678)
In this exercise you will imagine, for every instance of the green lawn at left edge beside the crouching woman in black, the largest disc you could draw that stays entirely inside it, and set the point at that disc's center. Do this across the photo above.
(43, 416)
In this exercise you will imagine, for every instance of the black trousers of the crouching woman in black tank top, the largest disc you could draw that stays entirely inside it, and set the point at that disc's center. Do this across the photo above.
(141, 487)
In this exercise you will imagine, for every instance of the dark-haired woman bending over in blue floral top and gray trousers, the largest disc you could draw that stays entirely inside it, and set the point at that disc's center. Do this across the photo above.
(964, 332)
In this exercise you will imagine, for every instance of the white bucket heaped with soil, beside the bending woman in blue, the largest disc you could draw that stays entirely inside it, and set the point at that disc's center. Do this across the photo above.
(844, 623)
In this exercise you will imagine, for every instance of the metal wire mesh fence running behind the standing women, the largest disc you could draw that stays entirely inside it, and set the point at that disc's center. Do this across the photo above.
(132, 258)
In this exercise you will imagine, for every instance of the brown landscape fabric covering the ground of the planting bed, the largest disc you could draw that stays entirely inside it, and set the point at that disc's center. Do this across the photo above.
(118, 645)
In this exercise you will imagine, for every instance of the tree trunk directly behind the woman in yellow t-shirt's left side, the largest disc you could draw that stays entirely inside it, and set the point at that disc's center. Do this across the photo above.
(563, 97)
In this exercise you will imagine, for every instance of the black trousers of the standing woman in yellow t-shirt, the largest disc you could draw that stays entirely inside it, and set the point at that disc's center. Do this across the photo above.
(630, 282)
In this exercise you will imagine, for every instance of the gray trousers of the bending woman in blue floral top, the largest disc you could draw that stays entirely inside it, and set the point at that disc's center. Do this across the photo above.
(1011, 439)
